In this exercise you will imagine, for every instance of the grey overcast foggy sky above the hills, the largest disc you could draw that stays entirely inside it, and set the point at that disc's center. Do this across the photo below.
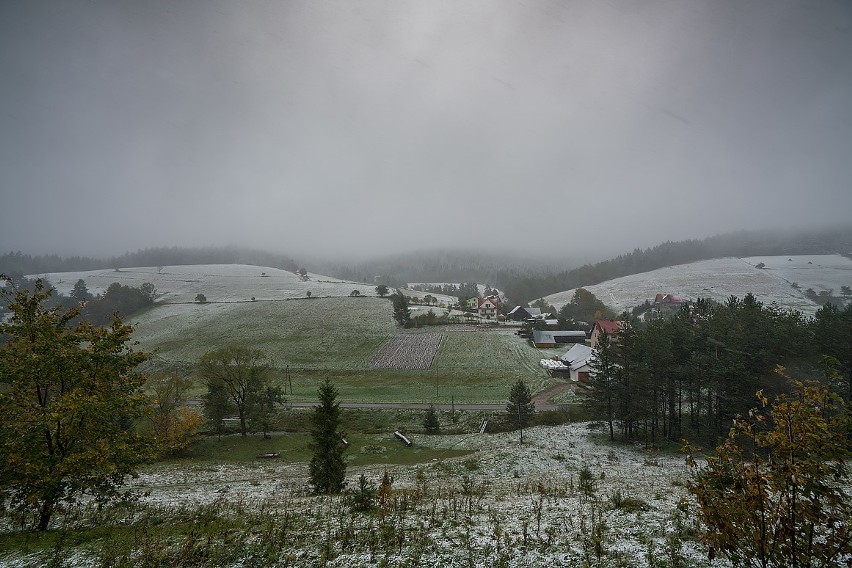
(319, 127)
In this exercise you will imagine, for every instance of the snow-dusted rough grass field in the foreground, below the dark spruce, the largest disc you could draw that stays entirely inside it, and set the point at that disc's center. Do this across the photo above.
(518, 503)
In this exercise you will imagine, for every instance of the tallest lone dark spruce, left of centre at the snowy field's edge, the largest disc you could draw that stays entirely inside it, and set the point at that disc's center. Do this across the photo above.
(327, 468)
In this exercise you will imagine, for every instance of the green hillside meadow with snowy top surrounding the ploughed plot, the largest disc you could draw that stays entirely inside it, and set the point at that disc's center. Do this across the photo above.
(332, 336)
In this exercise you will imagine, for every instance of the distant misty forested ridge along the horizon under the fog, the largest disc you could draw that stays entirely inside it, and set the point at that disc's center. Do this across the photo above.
(522, 279)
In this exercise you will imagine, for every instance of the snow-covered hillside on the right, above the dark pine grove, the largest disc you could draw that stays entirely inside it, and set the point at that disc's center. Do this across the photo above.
(720, 278)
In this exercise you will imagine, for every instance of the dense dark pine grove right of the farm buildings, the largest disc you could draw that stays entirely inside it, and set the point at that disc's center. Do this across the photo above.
(688, 376)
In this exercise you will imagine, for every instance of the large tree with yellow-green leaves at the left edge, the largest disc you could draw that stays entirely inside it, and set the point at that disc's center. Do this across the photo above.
(69, 396)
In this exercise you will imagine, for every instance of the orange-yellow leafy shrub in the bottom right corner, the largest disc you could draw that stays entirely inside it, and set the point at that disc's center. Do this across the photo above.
(775, 493)
